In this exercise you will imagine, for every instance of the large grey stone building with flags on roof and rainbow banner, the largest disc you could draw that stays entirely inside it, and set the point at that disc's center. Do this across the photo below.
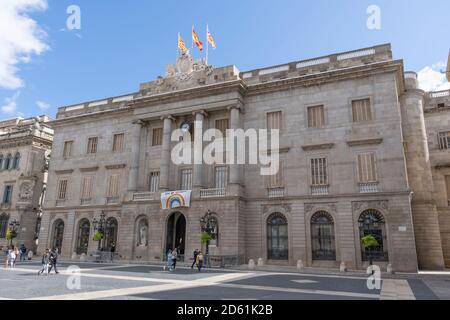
(363, 151)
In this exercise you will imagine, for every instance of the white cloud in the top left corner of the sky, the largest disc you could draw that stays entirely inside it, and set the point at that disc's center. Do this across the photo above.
(20, 38)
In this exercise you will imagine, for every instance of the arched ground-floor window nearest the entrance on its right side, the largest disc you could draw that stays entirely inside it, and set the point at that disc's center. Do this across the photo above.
(277, 237)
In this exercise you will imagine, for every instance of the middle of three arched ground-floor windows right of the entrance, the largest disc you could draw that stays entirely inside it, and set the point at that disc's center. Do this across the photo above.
(322, 236)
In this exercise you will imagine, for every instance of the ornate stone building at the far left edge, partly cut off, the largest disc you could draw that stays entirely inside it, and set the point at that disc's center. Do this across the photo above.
(25, 146)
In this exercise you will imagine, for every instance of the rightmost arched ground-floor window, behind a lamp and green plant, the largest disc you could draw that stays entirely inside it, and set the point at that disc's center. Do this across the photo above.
(371, 222)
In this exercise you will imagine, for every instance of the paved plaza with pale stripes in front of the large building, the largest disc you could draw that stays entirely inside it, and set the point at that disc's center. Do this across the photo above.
(91, 281)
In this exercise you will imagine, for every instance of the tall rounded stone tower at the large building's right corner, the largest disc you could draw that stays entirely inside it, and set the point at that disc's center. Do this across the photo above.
(424, 211)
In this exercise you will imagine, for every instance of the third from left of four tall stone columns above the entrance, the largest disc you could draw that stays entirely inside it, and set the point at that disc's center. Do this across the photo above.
(198, 181)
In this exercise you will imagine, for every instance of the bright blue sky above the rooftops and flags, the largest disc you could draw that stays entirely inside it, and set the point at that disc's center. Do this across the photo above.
(124, 43)
